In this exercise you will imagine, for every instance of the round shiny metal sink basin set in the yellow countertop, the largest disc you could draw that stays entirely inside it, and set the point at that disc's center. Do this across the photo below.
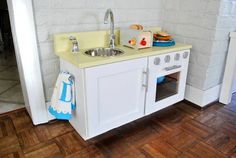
(104, 52)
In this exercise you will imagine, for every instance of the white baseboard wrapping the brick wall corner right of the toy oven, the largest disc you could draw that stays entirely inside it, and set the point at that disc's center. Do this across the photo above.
(200, 97)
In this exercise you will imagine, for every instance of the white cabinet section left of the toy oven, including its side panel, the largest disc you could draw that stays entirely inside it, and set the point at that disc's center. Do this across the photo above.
(108, 96)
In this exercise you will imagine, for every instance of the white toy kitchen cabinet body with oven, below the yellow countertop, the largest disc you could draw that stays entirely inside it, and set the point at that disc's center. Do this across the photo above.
(111, 95)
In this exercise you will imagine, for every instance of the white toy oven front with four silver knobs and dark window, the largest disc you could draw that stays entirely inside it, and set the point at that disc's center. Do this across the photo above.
(166, 81)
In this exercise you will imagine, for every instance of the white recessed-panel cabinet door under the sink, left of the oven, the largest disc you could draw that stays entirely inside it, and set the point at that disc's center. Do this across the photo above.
(115, 94)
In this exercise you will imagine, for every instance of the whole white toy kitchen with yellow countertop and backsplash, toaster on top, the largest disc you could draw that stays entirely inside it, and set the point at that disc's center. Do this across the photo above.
(121, 75)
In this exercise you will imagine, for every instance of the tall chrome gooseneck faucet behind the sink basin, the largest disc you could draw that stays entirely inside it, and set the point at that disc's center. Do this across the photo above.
(112, 35)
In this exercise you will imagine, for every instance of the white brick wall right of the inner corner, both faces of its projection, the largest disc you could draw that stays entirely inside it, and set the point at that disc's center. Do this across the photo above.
(205, 24)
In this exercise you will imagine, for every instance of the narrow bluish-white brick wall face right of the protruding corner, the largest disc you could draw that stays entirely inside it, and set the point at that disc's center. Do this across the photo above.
(226, 22)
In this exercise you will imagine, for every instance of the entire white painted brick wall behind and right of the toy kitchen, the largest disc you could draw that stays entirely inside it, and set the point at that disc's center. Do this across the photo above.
(203, 23)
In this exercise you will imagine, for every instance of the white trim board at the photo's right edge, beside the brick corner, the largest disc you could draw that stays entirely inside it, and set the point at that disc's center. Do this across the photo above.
(230, 70)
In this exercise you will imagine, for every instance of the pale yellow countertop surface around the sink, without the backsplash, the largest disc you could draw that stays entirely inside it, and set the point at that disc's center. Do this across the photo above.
(82, 60)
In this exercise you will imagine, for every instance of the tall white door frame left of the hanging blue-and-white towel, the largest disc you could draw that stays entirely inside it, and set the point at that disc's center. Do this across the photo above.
(27, 57)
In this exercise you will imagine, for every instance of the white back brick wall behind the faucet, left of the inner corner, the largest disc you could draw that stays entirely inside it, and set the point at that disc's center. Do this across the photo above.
(58, 16)
